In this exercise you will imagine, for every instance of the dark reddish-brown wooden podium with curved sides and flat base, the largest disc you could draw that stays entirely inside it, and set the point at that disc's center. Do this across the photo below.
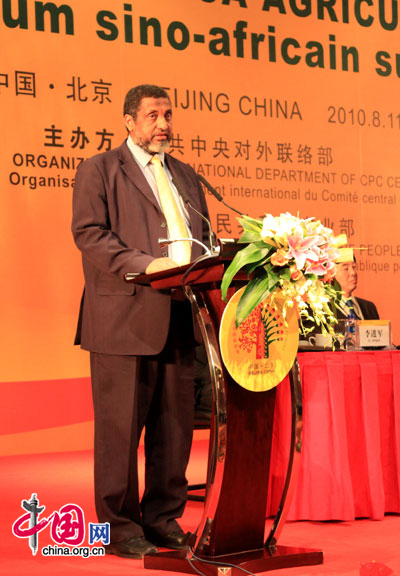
(232, 530)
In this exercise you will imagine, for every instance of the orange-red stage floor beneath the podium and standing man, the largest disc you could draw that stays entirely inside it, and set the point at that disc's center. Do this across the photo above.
(60, 479)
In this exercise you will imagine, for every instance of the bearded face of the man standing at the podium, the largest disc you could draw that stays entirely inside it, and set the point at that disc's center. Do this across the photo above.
(152, 129)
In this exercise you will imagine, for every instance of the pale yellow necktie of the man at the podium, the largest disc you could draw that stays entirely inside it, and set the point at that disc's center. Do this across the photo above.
(176, 224)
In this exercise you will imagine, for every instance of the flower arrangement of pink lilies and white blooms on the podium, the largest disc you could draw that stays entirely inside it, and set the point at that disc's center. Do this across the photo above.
(293, 257)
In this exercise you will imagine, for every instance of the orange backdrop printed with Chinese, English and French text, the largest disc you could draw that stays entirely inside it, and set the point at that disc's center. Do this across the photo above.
(282, 107)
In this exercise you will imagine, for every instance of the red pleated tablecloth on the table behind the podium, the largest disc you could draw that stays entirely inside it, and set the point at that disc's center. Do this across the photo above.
(350, 461)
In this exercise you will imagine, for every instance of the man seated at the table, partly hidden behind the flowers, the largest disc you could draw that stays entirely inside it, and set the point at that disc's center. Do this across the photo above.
(346, 275)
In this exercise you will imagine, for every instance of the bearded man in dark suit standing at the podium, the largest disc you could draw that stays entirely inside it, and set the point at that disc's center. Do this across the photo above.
(140, 340)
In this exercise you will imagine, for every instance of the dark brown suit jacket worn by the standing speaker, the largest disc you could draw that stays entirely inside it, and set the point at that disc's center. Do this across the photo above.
(116, 225)
